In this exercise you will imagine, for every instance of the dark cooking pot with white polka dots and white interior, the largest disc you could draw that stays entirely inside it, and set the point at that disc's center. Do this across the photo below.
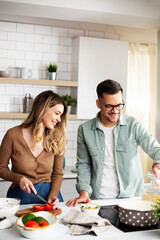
(136, 213)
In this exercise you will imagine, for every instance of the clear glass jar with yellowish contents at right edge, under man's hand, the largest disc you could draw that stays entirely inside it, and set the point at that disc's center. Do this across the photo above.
(152, 187)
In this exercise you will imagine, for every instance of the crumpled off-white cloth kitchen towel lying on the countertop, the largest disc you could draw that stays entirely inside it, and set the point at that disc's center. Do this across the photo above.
(82, 223)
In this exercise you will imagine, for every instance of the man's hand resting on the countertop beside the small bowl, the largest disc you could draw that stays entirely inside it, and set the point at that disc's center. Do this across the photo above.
(83, 198)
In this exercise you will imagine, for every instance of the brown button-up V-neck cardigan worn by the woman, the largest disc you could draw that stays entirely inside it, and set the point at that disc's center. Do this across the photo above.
(47, 167)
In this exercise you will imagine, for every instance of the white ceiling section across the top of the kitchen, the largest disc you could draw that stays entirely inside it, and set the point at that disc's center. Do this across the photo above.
(130, 13)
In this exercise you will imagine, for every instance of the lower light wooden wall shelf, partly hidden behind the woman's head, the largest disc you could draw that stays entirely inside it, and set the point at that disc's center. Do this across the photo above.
(13, 115)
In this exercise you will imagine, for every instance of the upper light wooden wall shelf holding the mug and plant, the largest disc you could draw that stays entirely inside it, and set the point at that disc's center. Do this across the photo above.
(39, 82)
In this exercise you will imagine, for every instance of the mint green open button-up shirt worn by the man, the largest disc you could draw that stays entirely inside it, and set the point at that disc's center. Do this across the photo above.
(128, 135)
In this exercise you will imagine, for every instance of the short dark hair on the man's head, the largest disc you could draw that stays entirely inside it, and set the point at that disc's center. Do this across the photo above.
(108, 86)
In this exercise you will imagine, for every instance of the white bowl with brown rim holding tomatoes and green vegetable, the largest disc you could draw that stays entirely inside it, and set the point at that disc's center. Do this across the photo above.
(37, 232)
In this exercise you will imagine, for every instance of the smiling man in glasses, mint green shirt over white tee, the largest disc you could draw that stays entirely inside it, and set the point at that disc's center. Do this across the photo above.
(108, 162)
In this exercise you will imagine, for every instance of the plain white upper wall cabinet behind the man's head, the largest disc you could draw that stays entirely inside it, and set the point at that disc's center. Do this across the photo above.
(95, 60)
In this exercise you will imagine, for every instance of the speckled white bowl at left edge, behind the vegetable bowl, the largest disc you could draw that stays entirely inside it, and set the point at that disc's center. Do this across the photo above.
(8, 207)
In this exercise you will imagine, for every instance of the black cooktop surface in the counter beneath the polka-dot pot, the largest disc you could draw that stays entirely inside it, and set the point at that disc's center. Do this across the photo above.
(109, 213)
